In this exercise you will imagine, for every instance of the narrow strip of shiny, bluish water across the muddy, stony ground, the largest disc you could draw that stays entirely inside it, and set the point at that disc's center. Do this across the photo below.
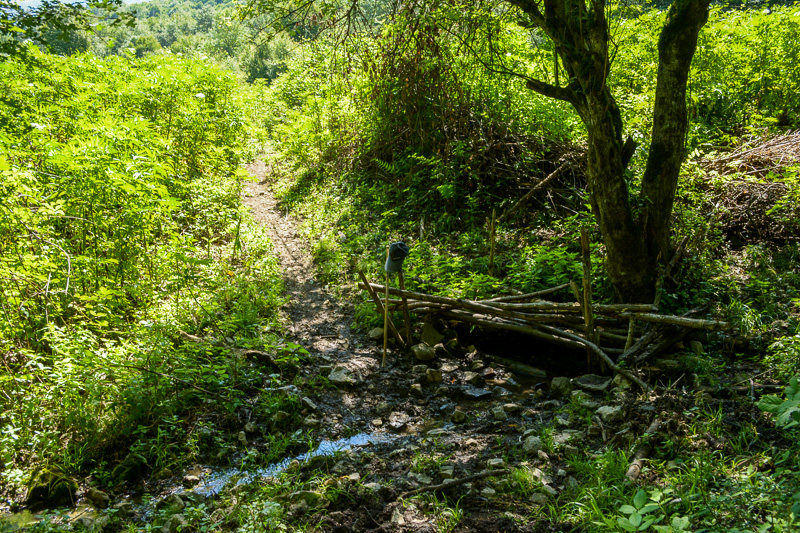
(213, 483)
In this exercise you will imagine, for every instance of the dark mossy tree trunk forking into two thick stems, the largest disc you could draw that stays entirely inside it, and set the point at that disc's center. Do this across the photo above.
(634, 247)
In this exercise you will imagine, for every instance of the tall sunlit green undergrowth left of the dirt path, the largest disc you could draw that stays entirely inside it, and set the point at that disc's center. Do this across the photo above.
(121, 228)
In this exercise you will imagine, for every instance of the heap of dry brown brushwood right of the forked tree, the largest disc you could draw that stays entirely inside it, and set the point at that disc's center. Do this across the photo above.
(752, 207)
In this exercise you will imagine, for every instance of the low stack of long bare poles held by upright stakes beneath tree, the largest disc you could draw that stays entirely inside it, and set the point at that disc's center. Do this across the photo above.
(632, 332)
